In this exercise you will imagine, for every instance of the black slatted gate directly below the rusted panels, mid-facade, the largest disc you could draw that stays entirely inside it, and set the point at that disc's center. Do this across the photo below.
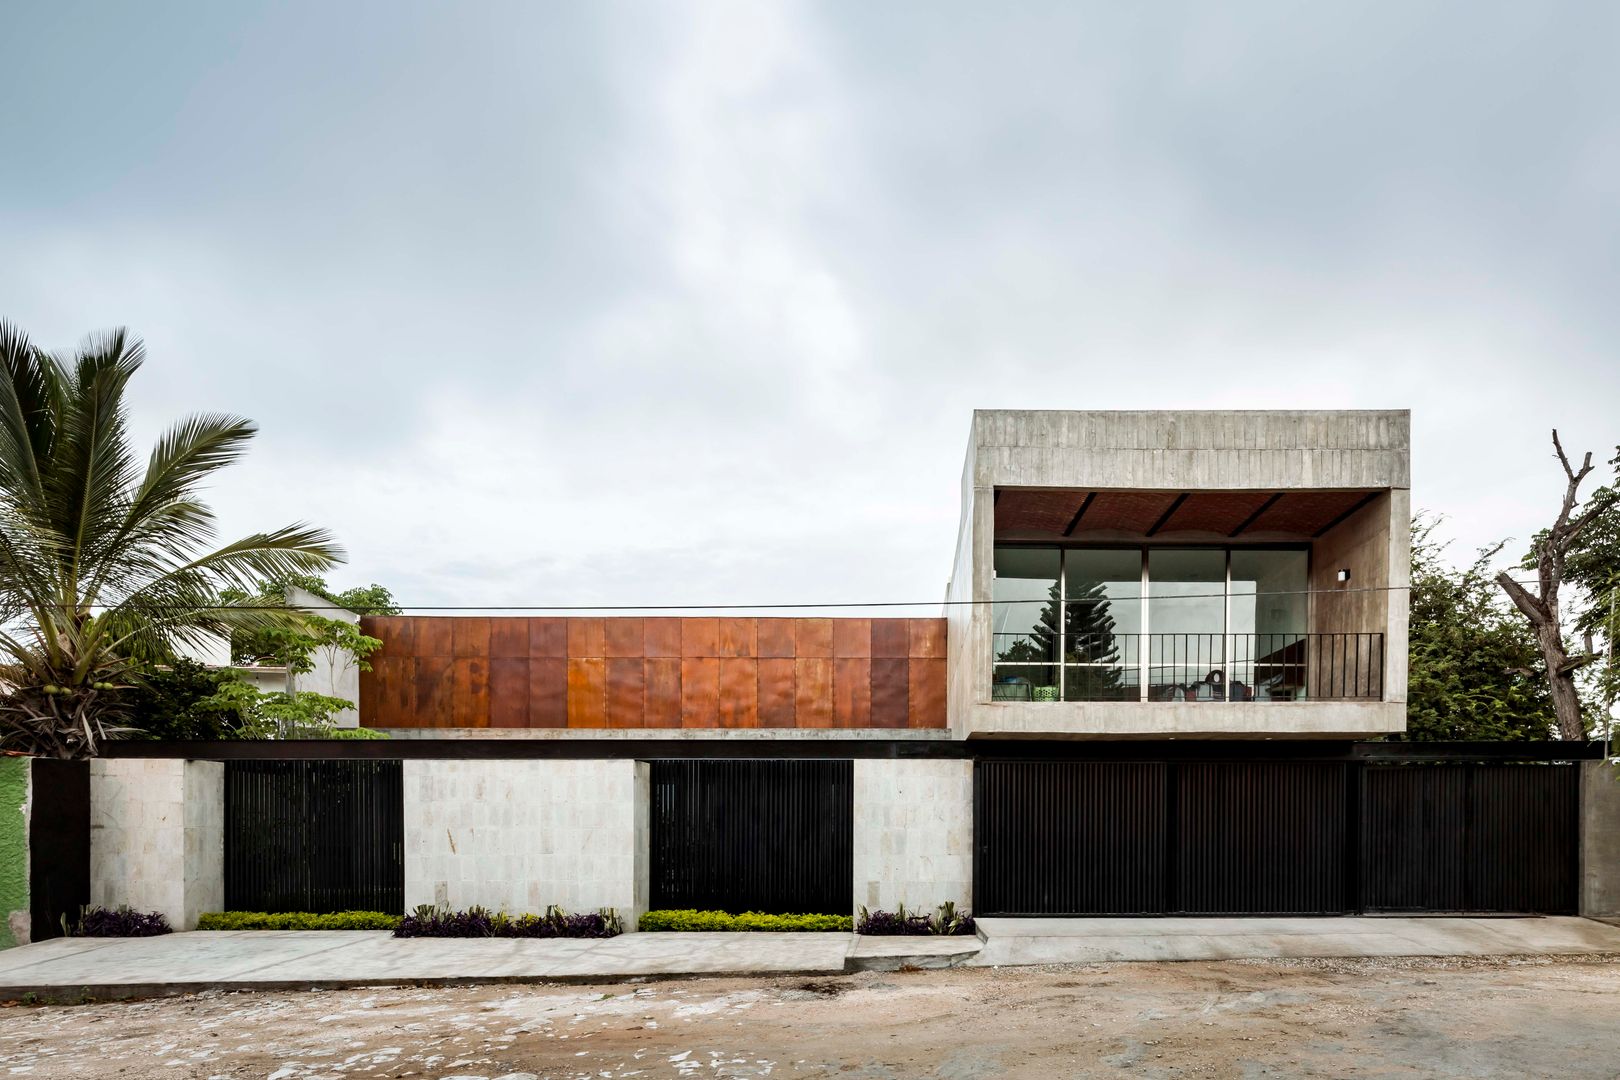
(752, 836)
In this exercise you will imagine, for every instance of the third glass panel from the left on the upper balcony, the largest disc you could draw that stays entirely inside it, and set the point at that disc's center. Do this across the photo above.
(1187, 624)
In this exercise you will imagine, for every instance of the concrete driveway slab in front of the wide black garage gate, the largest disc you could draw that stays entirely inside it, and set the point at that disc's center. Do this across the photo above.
(1017, 942)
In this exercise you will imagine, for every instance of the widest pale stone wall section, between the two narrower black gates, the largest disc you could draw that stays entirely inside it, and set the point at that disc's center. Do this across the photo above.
(519, 836)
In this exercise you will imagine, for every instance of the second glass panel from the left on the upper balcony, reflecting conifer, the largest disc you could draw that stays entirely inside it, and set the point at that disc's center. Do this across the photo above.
(1102, 629)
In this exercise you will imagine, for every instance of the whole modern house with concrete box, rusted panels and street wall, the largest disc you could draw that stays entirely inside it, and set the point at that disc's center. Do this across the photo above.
(1167, 657)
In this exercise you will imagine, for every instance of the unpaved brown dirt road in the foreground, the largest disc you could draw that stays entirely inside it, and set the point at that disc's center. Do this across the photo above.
(1517, 1018)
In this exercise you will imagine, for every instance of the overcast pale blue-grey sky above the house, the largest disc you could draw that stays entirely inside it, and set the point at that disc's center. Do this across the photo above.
(691, 304)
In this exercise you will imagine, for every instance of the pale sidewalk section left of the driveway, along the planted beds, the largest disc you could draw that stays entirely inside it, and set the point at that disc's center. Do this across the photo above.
(140, 967)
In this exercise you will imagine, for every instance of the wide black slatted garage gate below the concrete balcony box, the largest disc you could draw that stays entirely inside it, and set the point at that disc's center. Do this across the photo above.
(1274, 838)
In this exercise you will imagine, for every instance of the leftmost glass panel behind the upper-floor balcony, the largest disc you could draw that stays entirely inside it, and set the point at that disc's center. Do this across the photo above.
(1025, 624)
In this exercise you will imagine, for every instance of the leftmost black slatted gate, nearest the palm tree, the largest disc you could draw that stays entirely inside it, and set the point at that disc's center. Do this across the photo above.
(315, 836)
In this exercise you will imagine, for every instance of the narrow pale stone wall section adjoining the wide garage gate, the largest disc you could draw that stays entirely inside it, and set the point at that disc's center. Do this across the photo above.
(914, 833)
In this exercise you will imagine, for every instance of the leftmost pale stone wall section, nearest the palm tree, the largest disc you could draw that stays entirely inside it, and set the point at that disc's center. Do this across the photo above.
(158, 836)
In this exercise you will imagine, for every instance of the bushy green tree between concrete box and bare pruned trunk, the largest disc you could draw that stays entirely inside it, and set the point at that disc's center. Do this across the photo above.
(1477, 671)
